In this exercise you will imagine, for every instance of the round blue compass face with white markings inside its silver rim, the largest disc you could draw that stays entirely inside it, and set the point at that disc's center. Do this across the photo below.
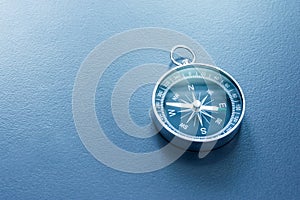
(198, 102)
